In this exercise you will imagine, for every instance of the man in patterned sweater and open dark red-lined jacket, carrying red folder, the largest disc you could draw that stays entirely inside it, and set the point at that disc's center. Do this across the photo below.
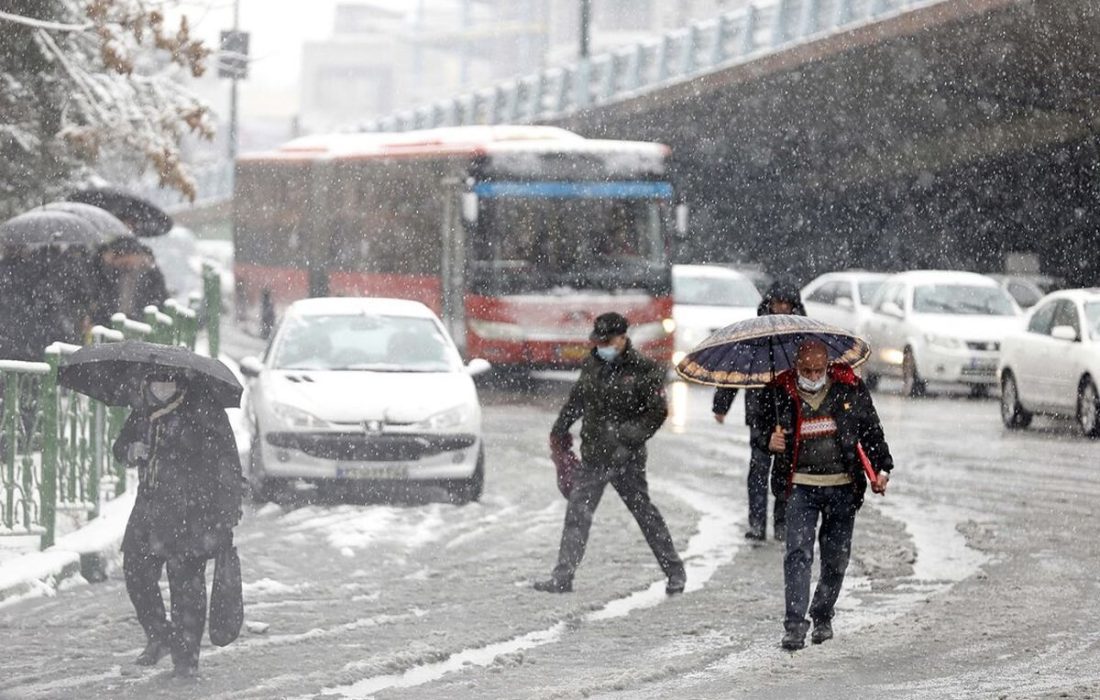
(827, 417)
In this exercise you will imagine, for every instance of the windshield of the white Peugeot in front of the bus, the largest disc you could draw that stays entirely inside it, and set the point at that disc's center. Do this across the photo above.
(369, 343)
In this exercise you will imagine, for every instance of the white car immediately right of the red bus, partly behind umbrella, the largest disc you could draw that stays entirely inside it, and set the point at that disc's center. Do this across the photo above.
(707, 299)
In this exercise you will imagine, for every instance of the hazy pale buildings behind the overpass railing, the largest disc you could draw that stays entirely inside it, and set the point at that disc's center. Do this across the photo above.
(388, 56)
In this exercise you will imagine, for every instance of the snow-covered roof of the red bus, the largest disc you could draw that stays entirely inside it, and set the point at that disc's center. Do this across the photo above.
(475, 140)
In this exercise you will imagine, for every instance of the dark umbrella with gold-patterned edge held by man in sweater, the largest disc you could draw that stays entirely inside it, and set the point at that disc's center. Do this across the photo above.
(752, 353)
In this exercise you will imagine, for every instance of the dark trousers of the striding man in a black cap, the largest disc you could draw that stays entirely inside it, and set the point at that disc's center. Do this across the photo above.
(630, 482)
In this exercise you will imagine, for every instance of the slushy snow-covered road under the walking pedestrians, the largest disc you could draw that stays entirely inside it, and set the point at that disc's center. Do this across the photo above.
(977, 576)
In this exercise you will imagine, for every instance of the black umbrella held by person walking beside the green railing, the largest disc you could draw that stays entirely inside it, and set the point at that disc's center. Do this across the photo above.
(113, 373)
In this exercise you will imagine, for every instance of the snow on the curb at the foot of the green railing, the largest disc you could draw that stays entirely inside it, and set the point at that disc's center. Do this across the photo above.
(83, 555)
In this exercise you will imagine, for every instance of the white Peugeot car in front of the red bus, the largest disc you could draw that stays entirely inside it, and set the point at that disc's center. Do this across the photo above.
(354, 391)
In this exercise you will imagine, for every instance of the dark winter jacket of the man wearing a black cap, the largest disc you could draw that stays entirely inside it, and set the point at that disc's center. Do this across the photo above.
(622, 404)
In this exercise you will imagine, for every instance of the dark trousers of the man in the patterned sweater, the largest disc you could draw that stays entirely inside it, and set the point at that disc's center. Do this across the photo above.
(835, 508)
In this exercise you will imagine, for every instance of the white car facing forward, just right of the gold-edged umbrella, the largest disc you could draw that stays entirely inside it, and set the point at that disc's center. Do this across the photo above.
(942, 327)
